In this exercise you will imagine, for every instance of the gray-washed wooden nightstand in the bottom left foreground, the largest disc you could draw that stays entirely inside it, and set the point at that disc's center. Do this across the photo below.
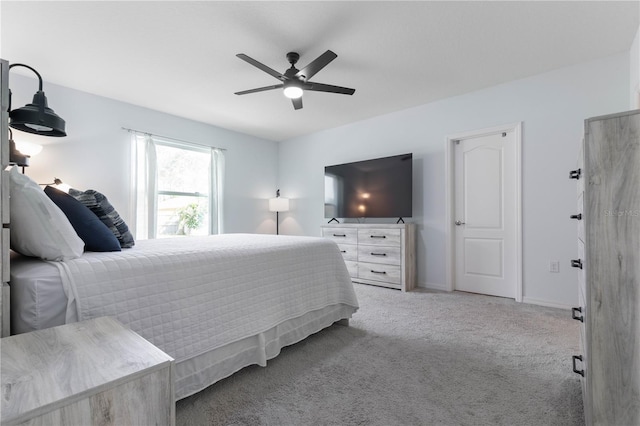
(93, 372)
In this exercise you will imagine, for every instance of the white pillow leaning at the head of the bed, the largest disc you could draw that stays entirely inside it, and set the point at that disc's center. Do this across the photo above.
(38, 227)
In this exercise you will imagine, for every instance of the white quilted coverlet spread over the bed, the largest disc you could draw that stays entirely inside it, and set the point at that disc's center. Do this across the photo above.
(190, 295)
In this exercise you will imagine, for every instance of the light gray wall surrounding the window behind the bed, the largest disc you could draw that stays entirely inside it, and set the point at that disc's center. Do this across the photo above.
(96, 152)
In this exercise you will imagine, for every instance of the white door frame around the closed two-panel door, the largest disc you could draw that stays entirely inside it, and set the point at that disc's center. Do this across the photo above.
(450, 199)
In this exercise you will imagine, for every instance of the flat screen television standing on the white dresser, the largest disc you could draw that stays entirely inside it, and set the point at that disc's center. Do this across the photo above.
(380, 188)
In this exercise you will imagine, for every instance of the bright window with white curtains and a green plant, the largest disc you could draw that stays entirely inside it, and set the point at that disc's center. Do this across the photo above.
(177, 188)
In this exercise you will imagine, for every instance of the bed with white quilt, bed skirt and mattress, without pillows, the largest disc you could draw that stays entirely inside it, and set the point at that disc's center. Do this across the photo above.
(215, 304)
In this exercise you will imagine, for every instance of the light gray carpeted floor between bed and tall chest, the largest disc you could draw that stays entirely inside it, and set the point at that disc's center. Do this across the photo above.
(419, 358)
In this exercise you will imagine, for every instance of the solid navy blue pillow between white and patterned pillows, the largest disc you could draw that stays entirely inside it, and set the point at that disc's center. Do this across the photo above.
(94, 233)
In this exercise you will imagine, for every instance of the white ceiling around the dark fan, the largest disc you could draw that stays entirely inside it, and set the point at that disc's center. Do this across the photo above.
(179, 57)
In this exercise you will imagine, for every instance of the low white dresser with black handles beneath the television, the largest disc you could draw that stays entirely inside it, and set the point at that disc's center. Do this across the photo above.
(377, 254)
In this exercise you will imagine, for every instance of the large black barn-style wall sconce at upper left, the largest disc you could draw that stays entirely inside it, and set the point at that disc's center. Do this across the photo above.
(36, 117)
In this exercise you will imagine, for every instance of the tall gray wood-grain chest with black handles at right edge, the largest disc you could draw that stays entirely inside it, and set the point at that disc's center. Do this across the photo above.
(608, 263)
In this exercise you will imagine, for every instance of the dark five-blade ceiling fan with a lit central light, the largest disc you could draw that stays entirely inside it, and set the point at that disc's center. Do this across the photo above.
(295, 81)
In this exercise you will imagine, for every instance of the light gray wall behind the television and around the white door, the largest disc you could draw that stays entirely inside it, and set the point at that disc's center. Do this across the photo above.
(552, 108)
